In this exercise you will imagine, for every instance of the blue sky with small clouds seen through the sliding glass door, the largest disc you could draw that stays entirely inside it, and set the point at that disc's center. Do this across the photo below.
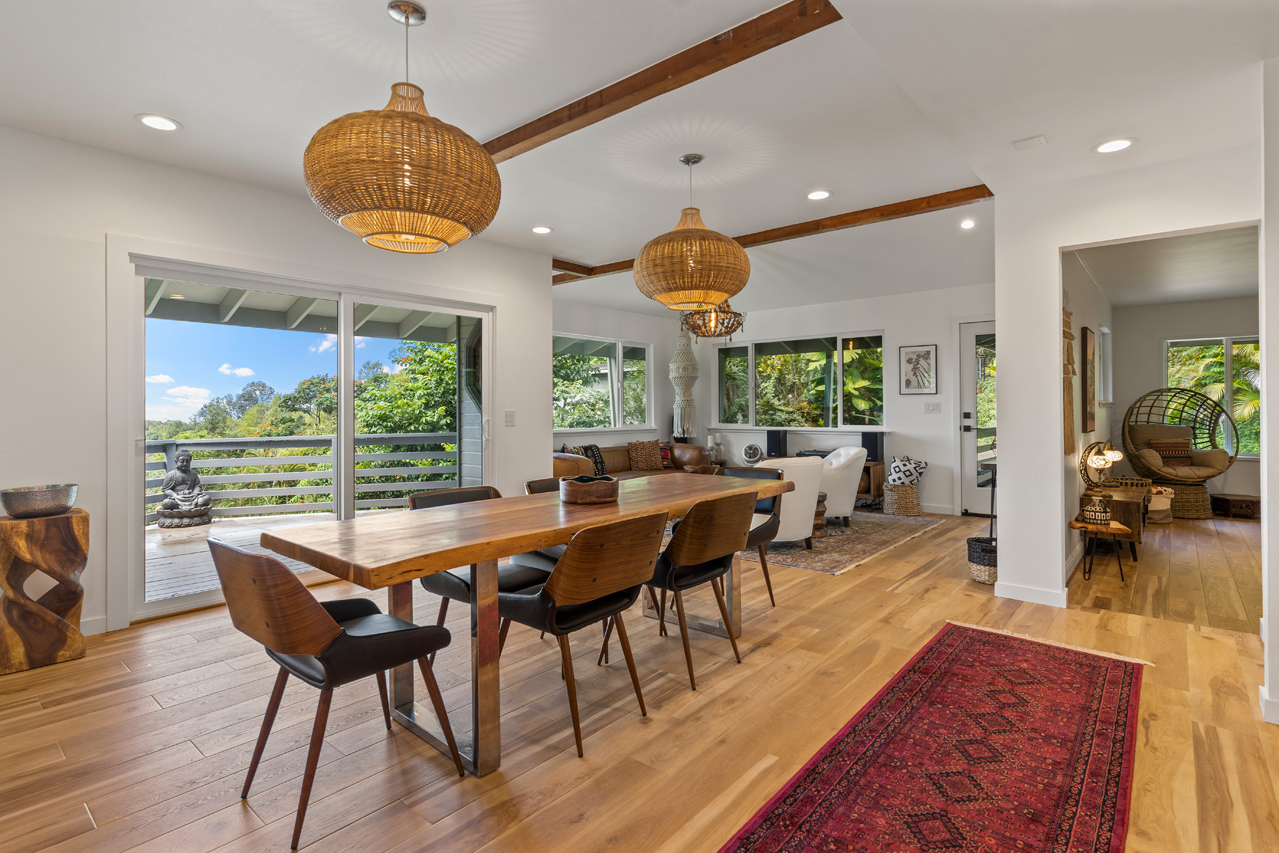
(191, 363)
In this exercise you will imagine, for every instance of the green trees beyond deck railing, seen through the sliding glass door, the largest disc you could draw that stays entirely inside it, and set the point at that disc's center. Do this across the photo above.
(418, 393)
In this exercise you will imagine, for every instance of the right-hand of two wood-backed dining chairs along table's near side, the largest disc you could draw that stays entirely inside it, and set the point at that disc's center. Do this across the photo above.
(702, 551)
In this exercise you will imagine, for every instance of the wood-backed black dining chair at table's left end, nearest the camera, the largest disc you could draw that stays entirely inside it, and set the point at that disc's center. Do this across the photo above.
(323, 644)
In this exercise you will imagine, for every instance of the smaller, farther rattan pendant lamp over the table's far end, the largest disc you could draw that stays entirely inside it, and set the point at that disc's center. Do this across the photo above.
(691, 268)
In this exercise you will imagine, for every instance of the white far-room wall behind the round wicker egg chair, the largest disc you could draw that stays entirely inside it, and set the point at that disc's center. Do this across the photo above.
(1140, 334)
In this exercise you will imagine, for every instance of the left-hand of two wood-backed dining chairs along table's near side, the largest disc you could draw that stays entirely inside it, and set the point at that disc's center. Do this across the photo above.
(602, 575)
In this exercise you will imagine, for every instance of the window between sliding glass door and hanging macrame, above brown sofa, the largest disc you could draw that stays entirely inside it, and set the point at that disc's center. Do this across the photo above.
(599, 384)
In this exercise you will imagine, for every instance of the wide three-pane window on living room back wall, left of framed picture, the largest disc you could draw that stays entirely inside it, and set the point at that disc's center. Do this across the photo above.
(809, 383)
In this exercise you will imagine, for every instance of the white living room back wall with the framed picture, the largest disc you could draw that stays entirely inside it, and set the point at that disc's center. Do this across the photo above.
(928, 318)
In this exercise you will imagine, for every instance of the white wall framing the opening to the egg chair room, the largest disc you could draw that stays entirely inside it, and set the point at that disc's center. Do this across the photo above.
(1032, 230)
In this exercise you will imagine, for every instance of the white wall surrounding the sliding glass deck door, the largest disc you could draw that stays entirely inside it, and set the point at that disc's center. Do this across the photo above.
(59, 203)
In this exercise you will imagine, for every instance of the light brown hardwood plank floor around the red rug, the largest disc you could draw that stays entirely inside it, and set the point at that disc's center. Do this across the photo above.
(143, 745)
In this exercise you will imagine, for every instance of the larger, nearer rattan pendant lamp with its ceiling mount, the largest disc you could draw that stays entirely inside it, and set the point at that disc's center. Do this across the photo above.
(400, 178)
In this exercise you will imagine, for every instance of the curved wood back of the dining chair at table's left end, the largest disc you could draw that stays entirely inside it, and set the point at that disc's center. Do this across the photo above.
(269, 604)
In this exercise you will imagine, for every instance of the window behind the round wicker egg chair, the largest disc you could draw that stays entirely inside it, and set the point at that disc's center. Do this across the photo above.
(1230, 372)
